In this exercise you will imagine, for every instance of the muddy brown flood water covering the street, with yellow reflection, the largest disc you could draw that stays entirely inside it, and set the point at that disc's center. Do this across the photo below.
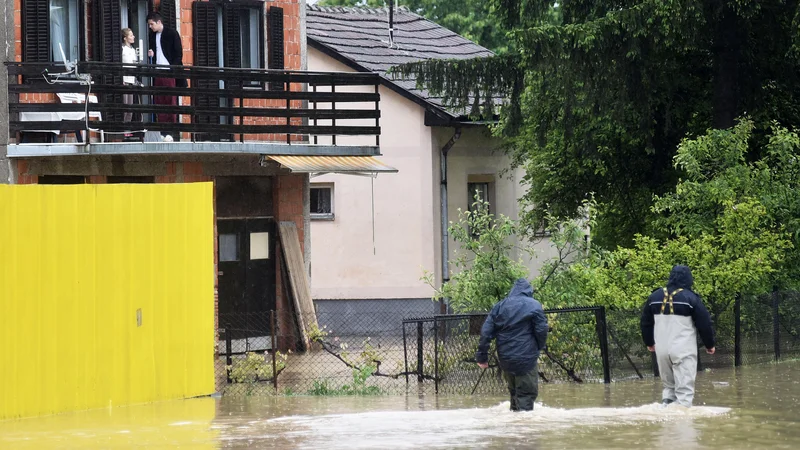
(751, 407)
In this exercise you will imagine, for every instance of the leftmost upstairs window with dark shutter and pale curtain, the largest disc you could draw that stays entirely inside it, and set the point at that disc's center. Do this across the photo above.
(52, 30)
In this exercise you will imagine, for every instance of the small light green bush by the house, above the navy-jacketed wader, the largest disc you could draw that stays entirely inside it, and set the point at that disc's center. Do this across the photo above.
(484, 273)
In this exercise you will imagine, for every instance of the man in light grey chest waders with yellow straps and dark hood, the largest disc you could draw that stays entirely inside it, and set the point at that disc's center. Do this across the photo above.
(671, 320)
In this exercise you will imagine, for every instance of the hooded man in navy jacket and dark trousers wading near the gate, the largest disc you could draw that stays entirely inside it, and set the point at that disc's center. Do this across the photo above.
(520, 327)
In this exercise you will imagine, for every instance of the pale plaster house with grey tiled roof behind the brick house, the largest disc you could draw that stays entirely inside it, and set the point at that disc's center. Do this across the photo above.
(373, 238)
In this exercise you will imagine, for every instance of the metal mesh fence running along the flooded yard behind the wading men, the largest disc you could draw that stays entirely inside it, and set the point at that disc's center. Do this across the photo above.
(373, 351)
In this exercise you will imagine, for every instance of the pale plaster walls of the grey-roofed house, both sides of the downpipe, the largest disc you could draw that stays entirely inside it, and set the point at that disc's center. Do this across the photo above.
(346, 263)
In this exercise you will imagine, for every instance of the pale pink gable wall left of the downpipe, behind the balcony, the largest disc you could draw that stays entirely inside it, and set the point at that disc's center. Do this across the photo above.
(346, 263)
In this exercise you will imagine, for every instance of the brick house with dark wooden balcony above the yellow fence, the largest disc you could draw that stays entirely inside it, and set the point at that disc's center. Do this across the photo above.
(248, 122)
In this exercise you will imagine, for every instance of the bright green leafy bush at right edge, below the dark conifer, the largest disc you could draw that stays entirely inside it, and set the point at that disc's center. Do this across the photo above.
(750, 208)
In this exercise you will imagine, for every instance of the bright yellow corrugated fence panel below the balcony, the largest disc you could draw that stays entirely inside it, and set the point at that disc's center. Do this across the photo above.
(107, 295)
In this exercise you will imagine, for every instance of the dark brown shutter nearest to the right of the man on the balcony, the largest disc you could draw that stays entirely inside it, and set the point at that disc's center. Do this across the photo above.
(205, 55)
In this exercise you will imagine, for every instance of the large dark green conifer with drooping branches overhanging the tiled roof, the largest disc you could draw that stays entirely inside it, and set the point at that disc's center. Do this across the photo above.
(598, 102)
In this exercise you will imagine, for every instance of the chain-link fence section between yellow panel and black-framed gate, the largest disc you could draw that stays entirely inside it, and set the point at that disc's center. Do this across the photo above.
(355, 351)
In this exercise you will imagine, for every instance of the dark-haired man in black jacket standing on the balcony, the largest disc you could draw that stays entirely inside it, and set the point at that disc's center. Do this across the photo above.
(166, 48)
